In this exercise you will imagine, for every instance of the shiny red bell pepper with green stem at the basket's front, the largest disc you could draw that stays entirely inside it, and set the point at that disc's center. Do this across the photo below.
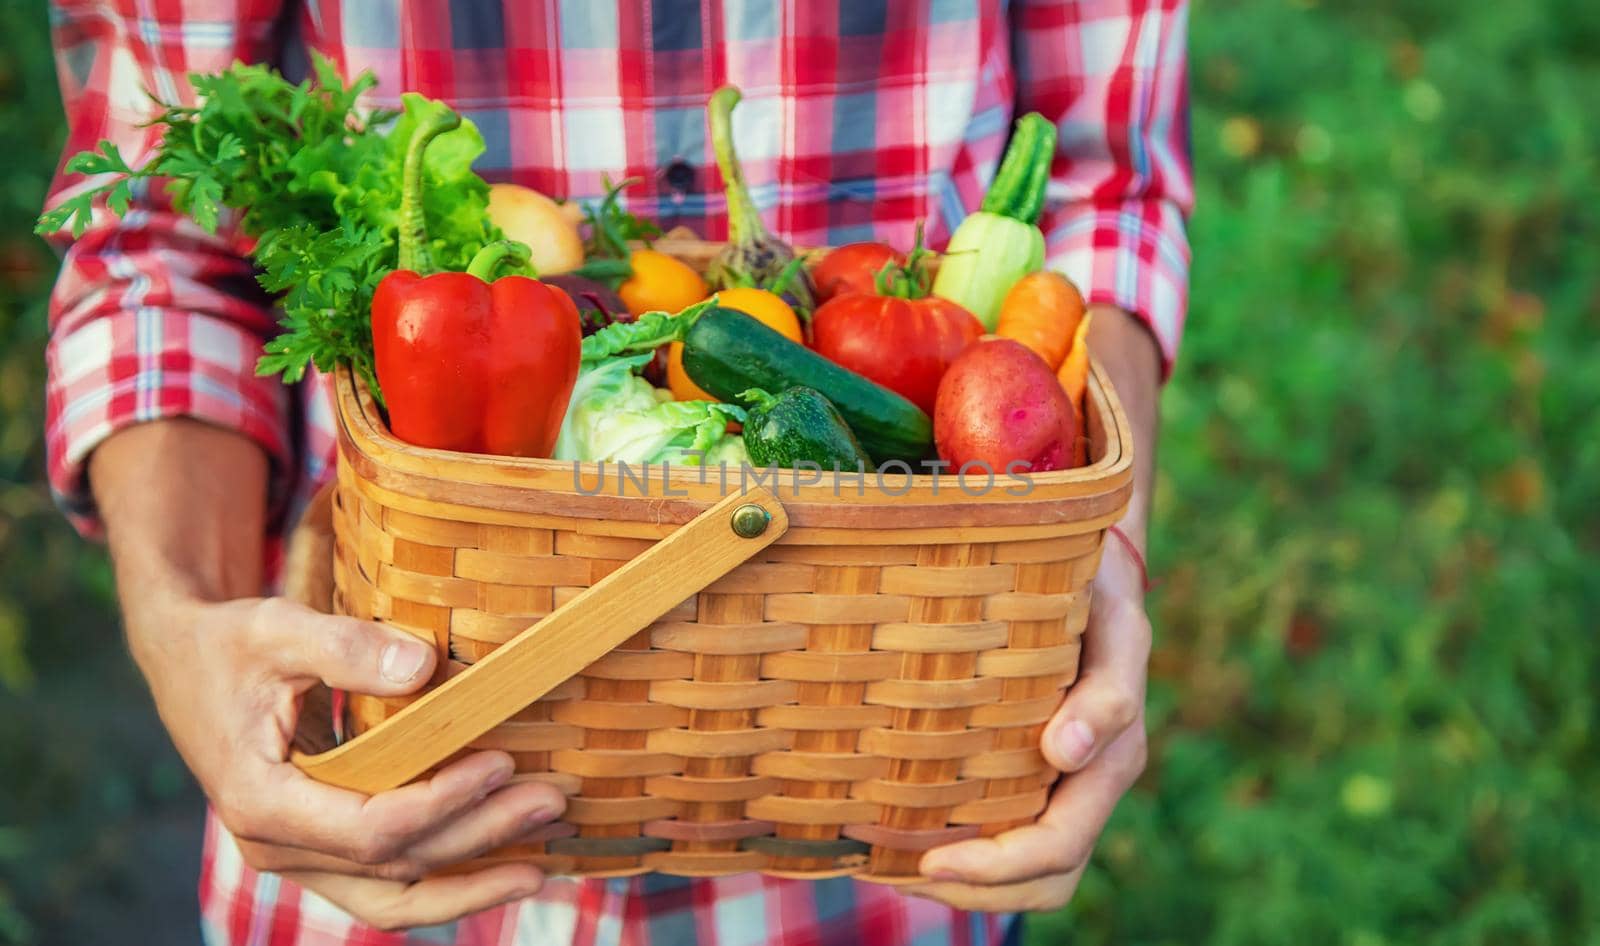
(470, 363)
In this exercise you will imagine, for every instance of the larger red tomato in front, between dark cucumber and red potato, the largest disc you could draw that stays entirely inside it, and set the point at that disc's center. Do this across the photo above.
(903, 345)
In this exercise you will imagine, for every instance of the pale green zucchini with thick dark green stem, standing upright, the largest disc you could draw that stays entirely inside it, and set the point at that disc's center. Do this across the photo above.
(999, 244)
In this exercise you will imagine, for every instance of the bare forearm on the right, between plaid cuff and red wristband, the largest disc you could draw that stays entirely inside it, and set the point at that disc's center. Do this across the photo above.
(1130, 356)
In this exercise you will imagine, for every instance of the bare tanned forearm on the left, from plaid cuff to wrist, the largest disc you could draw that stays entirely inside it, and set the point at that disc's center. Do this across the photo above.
(185, 510)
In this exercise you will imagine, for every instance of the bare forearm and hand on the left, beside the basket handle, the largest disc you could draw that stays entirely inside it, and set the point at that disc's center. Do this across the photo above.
(185, 507)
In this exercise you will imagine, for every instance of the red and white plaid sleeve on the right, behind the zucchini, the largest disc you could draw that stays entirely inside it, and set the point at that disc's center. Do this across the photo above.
(1114, 78)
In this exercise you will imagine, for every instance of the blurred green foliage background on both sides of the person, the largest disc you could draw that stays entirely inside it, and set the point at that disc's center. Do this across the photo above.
(1378, 531)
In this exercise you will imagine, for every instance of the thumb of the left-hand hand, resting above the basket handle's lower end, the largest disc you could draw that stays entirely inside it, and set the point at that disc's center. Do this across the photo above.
(345, 654)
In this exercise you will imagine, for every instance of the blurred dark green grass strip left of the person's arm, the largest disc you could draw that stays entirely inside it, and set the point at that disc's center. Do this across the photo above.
(98, 819)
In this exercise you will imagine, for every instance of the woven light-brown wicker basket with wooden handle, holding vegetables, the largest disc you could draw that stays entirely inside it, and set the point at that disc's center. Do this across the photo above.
(860, 681)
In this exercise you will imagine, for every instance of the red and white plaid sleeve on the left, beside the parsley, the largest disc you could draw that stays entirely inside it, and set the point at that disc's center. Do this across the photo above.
(151, 316)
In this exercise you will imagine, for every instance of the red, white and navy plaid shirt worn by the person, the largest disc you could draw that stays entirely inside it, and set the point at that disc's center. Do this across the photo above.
(860, 119)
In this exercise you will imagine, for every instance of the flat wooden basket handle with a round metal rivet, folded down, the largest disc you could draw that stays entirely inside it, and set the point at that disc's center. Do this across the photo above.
(554, 651)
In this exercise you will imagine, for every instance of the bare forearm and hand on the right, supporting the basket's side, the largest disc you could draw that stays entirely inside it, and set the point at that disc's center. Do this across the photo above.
(1097, 739)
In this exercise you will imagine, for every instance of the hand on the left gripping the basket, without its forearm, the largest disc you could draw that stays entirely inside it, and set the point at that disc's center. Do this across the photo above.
(228, 679)
